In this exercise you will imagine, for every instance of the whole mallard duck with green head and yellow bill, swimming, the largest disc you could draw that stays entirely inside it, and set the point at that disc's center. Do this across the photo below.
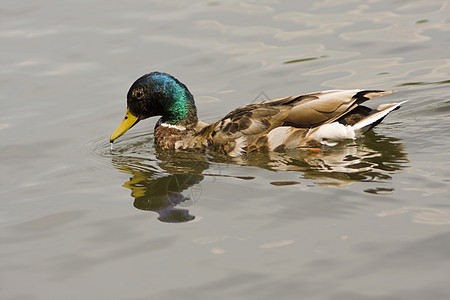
(284, 123)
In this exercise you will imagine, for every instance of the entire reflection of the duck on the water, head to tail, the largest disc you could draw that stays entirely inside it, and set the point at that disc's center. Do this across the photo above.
(172, 180)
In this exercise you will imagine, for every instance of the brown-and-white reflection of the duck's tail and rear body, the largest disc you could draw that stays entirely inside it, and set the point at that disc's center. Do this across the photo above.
(372, 159)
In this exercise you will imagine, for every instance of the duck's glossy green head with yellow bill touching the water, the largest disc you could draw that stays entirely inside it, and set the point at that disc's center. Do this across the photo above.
(158, 94)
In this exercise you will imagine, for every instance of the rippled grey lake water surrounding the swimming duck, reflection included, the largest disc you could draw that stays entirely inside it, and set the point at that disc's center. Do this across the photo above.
(367, 219)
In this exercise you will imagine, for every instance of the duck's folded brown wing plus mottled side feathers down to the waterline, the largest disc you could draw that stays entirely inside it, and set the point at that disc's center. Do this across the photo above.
(249, 125)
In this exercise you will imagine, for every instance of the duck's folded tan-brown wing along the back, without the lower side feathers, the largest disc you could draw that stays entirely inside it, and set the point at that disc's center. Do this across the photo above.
(303, 111)
